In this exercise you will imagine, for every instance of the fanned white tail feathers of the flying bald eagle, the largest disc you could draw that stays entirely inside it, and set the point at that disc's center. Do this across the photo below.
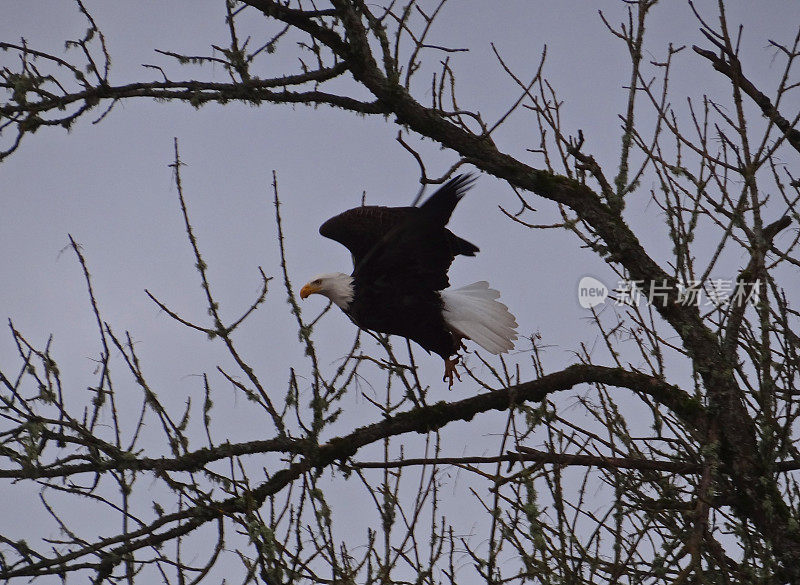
(472, 312)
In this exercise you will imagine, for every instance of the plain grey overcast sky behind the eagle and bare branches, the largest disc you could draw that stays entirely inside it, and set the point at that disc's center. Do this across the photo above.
(109, 185)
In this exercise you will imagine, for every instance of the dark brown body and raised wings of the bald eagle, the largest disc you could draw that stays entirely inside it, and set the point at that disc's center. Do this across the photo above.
(401, 257)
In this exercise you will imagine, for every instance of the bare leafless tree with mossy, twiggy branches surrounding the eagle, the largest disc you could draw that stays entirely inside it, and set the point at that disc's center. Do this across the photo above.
(708, 493)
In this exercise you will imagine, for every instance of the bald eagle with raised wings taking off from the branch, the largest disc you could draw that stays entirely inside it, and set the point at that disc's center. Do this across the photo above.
(401, 256)
